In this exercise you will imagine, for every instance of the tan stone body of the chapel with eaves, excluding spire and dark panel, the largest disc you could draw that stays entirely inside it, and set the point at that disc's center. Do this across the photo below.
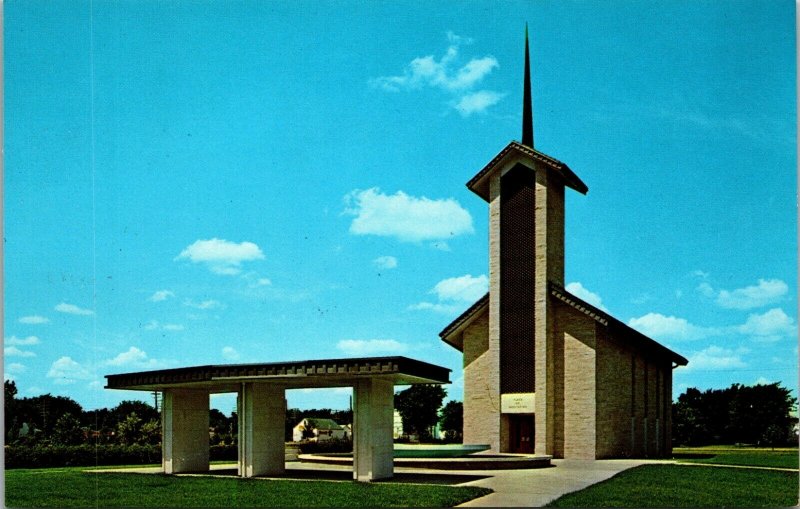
(602, 390)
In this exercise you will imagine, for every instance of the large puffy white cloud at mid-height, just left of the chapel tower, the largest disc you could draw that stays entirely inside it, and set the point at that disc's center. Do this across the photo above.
(405, 217)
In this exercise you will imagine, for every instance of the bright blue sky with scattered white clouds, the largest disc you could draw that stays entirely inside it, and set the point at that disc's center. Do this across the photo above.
(210, 182)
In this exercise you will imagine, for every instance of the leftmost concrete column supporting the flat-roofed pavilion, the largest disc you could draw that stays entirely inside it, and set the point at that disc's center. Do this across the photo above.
(184, 424)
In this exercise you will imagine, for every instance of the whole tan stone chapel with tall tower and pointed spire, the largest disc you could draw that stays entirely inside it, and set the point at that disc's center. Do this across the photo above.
(544, 371)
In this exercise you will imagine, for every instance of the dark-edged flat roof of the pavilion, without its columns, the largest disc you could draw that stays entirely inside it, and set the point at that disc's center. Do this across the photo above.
(292, 374)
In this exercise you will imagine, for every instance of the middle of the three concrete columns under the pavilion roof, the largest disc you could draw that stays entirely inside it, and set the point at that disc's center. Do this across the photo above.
(262, 412)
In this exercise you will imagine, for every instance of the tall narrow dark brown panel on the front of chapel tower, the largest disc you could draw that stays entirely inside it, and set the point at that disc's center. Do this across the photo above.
(517, 263)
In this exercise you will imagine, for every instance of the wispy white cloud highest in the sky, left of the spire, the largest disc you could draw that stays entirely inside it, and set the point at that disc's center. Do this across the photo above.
(447, 75)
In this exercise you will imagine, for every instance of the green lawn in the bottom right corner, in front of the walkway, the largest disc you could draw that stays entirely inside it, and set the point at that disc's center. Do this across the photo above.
(688, 486)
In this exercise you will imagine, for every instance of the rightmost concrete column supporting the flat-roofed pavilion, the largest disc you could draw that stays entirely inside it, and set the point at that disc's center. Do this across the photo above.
(373, 418)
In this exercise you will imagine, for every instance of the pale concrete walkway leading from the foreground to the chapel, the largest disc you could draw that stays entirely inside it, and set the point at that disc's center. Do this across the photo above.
(535, 488)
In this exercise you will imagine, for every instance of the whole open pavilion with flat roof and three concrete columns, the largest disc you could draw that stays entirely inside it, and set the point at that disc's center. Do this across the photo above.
(261, 407)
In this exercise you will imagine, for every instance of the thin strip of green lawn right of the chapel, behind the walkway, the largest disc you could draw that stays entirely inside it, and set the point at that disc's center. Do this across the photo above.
(731, 455)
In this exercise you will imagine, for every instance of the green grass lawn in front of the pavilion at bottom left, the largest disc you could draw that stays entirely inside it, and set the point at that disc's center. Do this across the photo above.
(73, 487)
